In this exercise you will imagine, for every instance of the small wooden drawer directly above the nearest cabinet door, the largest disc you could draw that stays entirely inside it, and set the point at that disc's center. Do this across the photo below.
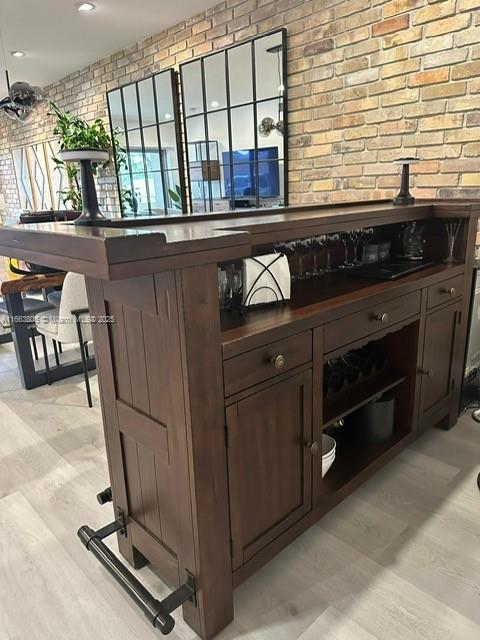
(266, 362)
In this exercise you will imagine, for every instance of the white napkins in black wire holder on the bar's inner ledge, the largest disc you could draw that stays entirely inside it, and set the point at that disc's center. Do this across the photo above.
(266, 279)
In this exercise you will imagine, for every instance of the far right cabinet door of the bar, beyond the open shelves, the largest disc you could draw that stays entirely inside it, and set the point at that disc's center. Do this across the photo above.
(440, 332)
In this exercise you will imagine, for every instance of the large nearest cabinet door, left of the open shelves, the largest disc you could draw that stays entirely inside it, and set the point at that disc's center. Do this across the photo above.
(269, 463)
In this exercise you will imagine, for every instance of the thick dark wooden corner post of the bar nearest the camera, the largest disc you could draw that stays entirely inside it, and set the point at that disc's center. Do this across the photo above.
(206, 446)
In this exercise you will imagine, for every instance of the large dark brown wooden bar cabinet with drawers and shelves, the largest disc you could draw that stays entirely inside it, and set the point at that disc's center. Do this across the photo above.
(214, 420)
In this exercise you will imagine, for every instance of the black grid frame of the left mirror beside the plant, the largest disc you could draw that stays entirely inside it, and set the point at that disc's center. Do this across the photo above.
(176, 120)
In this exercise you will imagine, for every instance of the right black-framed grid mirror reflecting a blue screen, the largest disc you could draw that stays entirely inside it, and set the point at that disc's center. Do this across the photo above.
(235, 125)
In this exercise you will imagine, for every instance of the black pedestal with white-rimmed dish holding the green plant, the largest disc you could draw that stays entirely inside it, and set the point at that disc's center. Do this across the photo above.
(90, 212)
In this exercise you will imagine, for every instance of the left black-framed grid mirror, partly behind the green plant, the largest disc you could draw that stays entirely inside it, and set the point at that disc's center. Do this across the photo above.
(144, 117)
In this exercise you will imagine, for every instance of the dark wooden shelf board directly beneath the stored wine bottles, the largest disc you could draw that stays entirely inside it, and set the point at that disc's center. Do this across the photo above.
(340, 404)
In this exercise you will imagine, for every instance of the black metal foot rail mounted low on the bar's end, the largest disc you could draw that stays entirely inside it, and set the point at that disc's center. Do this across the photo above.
(158, 612)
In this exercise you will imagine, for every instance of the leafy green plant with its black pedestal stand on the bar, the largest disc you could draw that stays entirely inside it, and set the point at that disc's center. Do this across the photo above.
(88, 145)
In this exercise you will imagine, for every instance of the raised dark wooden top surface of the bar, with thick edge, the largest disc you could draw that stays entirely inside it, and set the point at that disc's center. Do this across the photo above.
(130, 247)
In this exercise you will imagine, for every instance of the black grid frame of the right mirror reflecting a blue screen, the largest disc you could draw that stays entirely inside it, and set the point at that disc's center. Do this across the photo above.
(228, 109)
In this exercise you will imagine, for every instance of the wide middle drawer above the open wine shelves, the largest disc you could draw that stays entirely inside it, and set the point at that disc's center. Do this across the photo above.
(361, 324)
